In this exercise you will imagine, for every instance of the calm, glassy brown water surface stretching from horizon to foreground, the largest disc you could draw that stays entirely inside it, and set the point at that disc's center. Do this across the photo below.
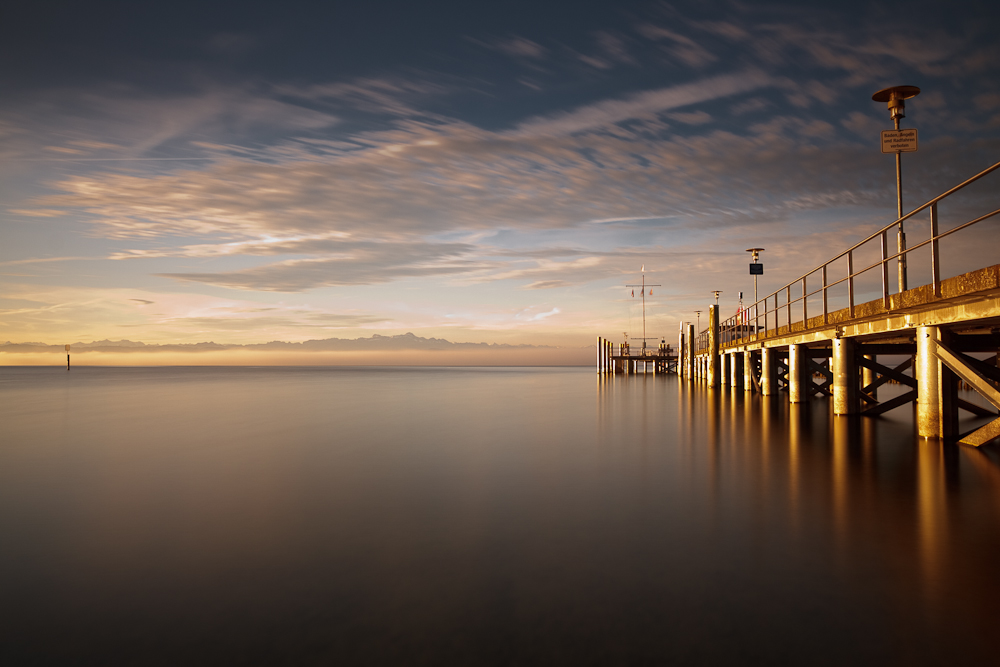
(478, 516)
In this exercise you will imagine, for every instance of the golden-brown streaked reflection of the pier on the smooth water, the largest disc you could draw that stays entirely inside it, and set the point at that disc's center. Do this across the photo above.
(797, 476)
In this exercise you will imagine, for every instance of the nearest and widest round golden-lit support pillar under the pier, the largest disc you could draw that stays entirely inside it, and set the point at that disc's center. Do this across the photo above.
(937, 389)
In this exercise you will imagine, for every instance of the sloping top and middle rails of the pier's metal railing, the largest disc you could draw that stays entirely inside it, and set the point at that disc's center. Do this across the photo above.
(729, 324)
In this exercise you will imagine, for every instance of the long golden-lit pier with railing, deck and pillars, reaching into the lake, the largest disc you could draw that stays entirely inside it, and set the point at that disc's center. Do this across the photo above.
(820, 335)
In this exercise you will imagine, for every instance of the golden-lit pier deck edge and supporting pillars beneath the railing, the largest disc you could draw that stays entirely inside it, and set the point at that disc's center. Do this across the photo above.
(933, 333)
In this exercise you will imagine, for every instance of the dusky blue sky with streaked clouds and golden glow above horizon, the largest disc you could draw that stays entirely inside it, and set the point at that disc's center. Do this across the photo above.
(178, 173)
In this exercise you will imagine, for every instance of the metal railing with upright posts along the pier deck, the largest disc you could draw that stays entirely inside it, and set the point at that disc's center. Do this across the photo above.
(765, 318)
